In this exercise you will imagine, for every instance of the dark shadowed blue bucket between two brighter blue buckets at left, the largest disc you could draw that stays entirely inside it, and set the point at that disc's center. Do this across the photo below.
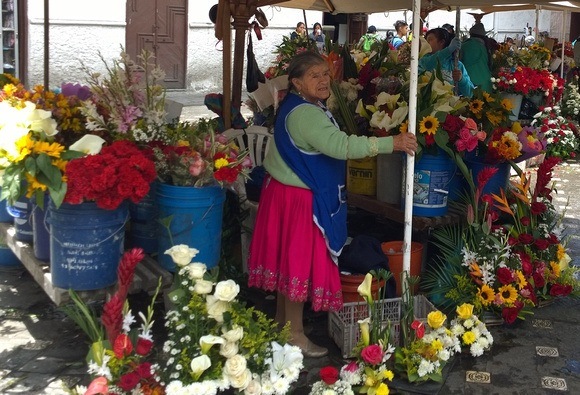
(143, 223)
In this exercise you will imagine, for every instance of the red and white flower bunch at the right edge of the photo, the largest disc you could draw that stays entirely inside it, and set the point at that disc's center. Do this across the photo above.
(561, 134)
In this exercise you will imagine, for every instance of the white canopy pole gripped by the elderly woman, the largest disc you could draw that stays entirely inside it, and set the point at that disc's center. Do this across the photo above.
(410, 163)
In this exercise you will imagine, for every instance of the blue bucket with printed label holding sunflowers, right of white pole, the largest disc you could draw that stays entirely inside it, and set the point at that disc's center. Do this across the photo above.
(432, 177)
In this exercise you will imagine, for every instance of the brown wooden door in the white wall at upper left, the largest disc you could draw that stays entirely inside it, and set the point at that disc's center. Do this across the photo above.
(161, 27)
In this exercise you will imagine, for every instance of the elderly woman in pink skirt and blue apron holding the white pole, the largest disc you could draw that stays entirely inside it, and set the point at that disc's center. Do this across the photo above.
(301, 221)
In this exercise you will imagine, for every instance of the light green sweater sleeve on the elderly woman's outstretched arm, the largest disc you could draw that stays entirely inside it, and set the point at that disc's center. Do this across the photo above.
(311, 130)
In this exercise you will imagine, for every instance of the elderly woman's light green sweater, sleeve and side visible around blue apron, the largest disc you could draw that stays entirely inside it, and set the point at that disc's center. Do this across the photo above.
(312, 131)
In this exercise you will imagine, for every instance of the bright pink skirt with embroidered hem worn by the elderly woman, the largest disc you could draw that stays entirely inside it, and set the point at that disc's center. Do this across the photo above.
(288, 252)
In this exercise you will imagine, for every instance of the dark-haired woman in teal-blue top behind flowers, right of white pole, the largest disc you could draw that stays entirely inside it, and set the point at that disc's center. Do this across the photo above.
(442, 50)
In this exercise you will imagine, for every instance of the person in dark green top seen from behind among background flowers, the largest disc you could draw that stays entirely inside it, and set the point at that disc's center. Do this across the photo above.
(477, 57)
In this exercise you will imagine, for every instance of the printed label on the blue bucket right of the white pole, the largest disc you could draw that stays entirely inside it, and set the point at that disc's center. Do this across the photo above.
(430, 188)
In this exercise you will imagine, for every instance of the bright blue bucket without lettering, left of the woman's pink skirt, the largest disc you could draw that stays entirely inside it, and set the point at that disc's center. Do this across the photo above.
(195, 216)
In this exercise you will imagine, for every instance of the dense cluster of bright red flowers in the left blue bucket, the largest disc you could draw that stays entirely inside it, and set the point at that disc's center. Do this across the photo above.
(119, 172)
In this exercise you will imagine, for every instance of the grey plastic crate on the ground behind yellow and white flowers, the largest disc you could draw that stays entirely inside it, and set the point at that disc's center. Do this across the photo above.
(343, 325)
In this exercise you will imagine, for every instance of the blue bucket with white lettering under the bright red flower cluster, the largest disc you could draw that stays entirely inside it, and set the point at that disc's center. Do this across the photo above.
(86, 244)
